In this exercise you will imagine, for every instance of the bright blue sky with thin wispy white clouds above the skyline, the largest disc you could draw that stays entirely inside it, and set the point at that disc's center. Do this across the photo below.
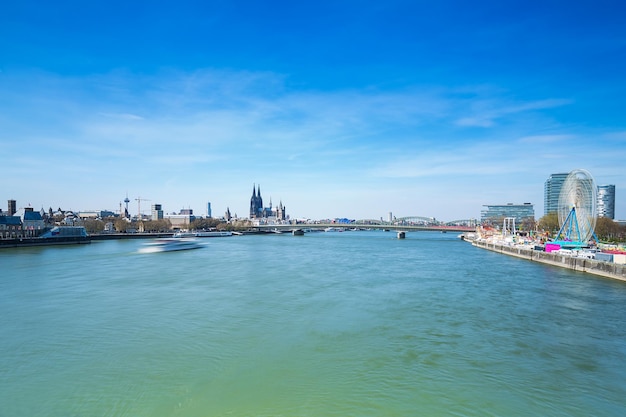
(336, 108)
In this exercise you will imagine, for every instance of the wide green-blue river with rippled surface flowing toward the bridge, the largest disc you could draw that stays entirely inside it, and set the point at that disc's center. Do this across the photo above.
(326, 324)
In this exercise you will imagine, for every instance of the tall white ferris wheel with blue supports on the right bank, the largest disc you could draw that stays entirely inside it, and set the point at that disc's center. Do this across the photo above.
(577, 207)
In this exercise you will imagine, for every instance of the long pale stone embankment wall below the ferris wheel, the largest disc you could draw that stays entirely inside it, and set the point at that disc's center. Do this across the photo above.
(591, 266)
